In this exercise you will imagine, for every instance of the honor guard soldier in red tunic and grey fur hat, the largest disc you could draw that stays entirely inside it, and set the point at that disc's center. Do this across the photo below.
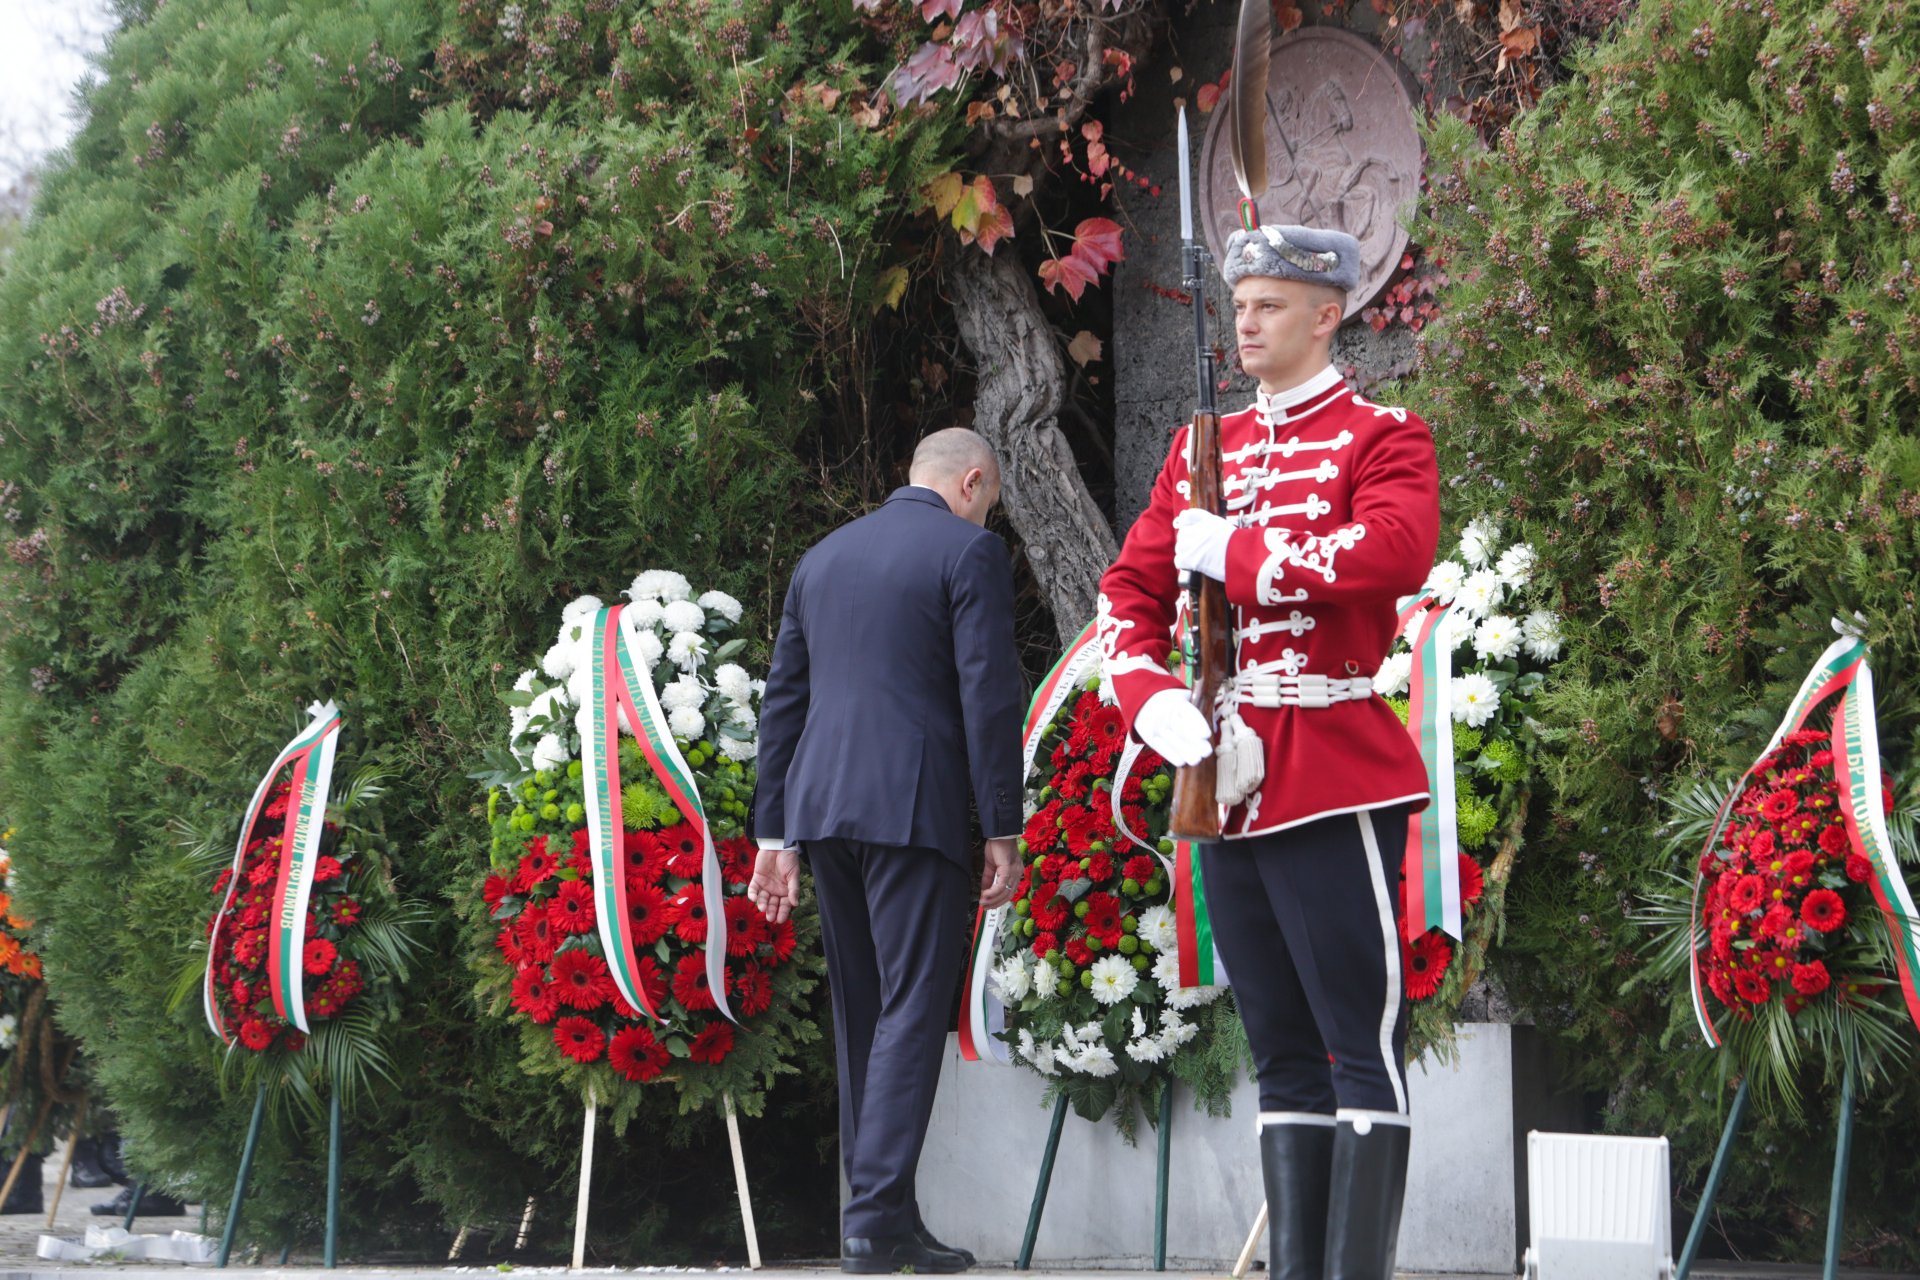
(1333, 513)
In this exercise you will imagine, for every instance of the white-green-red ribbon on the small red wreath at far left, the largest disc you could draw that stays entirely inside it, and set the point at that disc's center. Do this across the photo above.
(312, 759)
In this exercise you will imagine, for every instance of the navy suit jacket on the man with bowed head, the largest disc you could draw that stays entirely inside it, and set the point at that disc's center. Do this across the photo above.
(896, 684)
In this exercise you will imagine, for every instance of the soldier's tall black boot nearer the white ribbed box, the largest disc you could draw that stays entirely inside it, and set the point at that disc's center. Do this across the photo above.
(1370, 1183)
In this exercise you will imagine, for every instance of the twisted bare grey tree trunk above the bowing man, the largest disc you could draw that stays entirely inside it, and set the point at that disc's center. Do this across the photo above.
(1019, 394)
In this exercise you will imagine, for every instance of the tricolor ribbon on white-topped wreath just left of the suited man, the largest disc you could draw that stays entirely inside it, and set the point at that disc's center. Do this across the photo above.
(623, 690)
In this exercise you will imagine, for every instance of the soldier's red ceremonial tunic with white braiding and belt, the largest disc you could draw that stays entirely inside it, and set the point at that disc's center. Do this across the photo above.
(1337, 504)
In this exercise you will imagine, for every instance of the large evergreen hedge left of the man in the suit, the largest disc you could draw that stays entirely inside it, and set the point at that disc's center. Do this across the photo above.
(348, 343)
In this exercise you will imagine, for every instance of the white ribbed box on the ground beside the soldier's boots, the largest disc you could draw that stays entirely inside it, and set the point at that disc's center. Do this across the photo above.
(1598, 1208)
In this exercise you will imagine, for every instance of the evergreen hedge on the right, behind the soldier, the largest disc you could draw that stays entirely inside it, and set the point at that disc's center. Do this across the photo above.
(1683, 358)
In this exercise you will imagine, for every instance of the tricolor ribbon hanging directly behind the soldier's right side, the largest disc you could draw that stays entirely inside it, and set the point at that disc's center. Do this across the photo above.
(1431, 866)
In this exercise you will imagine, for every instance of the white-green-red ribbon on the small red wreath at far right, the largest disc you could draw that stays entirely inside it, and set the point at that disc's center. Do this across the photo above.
(1856, 738)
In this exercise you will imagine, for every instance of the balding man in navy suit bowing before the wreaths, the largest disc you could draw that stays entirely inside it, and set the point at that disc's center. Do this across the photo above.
(896, 682)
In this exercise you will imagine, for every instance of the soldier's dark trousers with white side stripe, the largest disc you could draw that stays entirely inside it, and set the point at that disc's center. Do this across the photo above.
(1307, 922)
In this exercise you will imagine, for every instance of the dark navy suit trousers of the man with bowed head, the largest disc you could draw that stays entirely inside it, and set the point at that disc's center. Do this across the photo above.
(894, 928)
